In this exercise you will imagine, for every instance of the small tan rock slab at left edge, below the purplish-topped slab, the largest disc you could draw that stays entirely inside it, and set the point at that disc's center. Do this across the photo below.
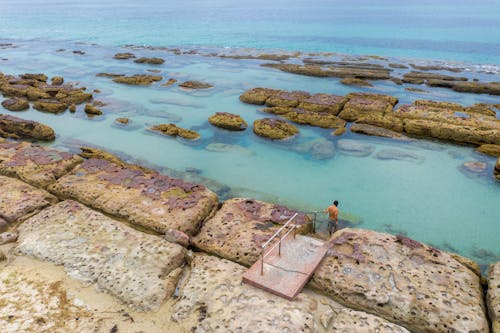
(18, 199)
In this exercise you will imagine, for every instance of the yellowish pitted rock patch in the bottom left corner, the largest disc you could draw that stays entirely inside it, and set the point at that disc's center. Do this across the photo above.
(28, 304)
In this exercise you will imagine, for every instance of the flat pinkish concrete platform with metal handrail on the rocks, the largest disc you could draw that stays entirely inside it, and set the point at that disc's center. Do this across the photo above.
(285, 275)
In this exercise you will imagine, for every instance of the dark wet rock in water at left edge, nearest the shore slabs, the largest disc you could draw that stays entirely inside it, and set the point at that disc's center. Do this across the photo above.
(17, 128)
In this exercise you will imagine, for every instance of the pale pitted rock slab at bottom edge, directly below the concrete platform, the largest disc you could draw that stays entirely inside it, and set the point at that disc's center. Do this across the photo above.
(213, 299)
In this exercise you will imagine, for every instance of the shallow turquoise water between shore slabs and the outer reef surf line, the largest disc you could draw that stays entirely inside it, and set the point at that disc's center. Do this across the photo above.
(424, 195)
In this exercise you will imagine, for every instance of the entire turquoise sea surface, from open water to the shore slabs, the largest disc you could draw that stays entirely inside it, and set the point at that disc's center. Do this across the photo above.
(426, 195)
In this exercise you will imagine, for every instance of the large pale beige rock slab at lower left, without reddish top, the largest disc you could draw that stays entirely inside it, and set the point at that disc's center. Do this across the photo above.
(139, 269)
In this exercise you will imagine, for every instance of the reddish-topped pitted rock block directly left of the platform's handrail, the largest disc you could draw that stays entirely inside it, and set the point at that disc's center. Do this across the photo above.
(241, 226)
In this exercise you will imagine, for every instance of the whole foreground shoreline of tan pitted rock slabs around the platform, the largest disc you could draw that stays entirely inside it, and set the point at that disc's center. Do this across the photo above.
(153, 250)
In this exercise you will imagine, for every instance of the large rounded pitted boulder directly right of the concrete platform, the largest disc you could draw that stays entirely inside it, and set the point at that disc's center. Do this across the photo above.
(403, 281)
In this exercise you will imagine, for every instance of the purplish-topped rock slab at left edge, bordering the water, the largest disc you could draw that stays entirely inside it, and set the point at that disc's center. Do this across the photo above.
(36, 165)
